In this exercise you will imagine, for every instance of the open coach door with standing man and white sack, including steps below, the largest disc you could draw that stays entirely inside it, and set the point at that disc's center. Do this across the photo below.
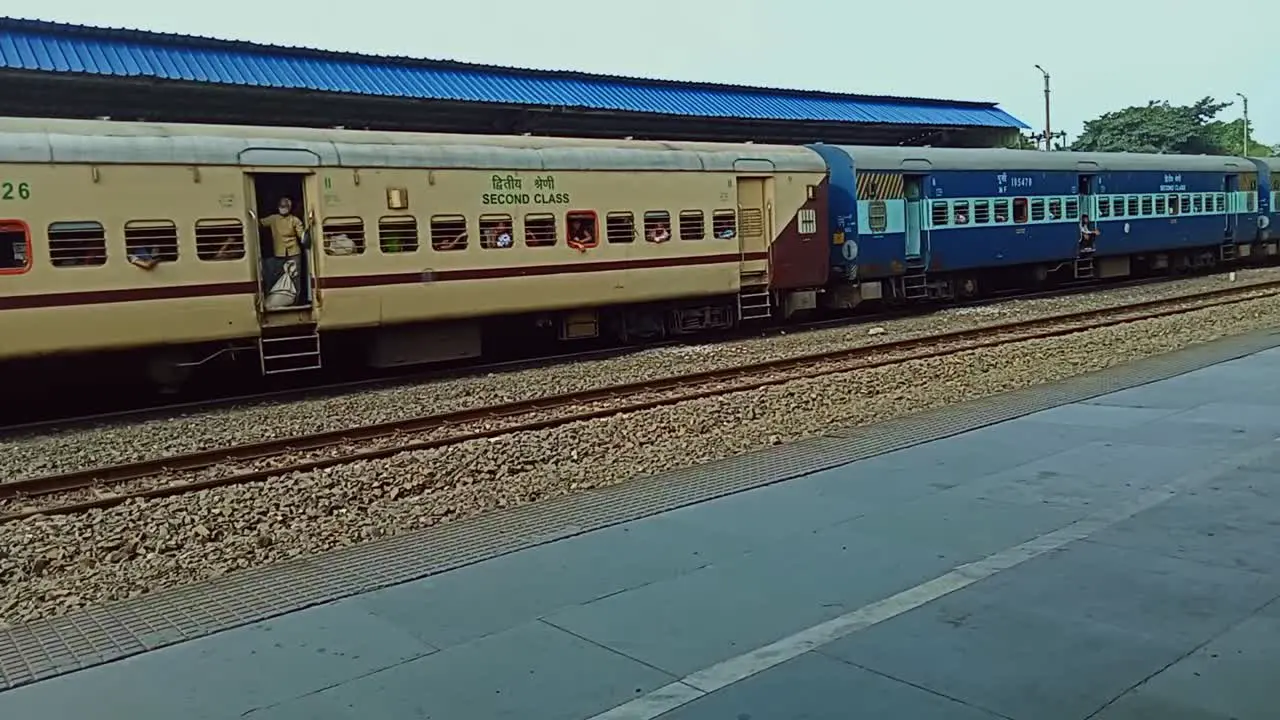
(287, 291)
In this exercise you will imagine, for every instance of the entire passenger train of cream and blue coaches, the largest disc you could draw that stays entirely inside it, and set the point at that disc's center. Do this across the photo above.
(154, 250)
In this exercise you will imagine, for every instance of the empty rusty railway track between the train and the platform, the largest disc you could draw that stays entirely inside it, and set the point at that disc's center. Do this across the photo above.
(104, 487)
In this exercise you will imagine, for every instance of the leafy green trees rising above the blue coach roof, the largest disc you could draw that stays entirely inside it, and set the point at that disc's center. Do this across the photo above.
(1162, 127)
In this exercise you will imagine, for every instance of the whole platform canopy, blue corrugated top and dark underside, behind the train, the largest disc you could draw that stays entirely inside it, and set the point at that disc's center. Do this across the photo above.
(53, 70)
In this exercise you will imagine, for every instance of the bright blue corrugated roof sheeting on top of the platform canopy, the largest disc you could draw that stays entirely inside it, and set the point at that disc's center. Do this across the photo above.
(56, 48)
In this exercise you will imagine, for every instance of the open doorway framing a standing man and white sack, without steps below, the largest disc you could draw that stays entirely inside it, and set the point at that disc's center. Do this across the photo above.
(284, 218)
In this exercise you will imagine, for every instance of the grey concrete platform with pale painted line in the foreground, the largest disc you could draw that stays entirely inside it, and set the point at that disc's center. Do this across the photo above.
(1116, 558)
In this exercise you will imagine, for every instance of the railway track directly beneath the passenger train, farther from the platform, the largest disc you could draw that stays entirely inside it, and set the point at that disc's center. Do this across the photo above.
(419, 377)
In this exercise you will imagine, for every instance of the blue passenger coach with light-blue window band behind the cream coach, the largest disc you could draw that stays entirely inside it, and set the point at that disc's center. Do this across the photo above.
(917, 224)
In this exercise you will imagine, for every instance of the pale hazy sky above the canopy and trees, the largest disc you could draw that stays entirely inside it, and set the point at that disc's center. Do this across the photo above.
(1103, 54)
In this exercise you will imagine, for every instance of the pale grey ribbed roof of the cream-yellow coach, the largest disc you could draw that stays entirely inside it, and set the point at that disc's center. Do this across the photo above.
(24, 140)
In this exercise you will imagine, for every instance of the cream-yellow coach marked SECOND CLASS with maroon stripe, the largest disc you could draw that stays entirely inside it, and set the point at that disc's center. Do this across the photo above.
(157, 243)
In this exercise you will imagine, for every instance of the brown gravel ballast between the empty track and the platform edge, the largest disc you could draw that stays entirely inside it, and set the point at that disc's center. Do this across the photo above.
(54, 564)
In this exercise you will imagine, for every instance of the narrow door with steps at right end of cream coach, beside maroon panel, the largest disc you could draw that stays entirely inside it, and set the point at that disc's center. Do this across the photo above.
(755, 235)
